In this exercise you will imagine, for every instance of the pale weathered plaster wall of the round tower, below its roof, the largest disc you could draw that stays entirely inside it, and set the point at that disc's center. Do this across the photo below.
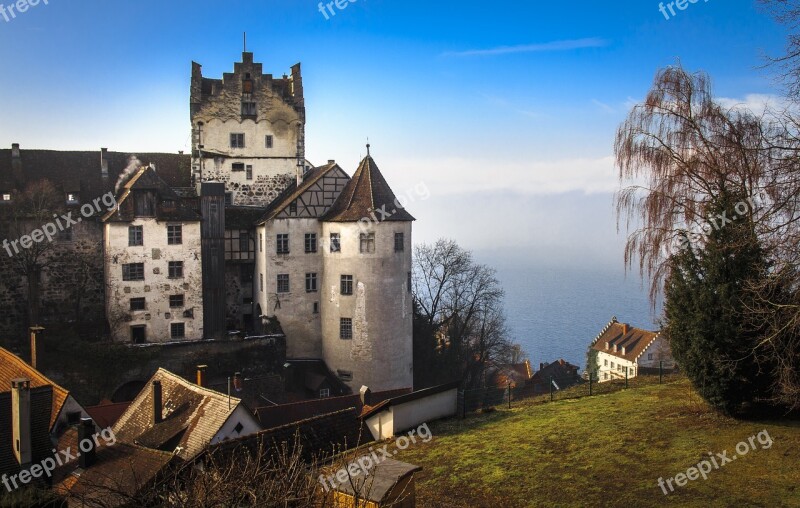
(380, 353)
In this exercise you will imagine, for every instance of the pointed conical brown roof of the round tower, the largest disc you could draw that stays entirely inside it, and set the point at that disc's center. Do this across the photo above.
(366, 193)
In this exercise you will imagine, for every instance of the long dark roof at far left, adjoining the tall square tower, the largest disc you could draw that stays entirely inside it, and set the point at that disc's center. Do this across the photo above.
(80, 171)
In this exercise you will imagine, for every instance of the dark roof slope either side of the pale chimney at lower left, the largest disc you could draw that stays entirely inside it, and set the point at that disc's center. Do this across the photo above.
(41, 402)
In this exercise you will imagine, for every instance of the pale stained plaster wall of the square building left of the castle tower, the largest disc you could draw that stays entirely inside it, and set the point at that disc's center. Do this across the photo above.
(157, 286)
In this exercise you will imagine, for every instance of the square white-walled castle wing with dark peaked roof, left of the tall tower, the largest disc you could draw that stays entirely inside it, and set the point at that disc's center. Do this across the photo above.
(153, 264)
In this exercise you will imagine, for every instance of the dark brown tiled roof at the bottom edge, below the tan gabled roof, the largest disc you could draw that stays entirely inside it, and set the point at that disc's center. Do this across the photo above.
(120, 472)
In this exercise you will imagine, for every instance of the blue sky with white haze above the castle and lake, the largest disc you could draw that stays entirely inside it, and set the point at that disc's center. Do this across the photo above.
(506, 110)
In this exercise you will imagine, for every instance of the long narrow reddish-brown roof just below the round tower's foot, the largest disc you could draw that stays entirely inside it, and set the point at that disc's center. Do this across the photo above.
(283, 414)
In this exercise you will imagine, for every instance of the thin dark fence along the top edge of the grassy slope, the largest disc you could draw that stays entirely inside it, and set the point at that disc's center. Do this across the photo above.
(555, 388)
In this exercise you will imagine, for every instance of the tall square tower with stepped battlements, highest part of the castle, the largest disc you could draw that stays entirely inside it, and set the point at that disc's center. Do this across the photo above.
(248, 131)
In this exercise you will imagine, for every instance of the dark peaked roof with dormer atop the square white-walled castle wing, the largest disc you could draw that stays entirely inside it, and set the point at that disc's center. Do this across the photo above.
(148, 179)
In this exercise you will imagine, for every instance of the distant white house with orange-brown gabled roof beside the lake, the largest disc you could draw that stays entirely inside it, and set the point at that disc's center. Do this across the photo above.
(621, 349)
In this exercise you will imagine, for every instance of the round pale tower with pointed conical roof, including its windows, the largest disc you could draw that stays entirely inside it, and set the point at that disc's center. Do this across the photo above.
(366, 299)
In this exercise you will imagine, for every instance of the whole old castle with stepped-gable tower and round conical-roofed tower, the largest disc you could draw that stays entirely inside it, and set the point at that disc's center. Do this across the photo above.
(242, 232)
